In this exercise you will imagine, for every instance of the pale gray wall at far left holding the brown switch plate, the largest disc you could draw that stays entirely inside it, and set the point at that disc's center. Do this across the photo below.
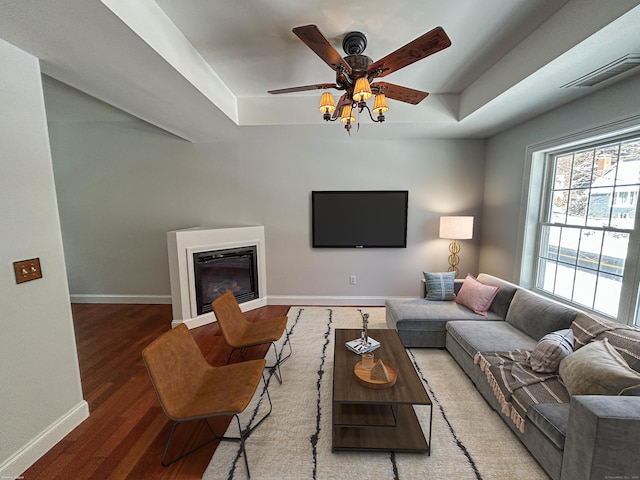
(41, 397)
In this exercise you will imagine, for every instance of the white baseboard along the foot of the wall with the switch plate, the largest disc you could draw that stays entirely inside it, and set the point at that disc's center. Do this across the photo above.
(20, 461)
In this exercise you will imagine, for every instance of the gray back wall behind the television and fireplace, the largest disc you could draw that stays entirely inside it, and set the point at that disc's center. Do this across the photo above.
(123, 184)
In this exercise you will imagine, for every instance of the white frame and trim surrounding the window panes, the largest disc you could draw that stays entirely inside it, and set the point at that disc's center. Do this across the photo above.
(536, 182)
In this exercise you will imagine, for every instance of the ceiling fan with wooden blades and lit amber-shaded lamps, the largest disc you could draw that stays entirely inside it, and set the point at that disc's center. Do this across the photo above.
(355, 72)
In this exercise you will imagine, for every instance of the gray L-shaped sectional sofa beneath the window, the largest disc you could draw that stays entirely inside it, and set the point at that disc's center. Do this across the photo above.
(574, 436)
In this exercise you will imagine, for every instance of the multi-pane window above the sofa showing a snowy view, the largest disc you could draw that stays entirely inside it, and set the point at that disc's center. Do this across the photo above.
(587, 243)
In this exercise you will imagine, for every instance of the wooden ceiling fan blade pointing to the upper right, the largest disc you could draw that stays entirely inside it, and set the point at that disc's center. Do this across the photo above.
(423, 46)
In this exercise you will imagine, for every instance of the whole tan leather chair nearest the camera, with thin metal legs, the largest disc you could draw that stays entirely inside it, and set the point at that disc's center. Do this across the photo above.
(188, 388)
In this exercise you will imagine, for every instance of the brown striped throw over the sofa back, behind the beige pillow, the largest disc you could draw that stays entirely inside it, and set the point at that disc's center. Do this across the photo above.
(625, 339)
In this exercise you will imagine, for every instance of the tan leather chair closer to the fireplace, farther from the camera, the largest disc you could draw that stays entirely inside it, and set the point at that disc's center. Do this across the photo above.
(240, 333)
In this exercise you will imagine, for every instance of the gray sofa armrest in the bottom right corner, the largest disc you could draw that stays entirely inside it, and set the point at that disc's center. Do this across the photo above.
(603, 436)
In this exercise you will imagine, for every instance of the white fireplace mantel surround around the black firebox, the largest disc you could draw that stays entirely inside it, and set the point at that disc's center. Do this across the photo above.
(182, 244)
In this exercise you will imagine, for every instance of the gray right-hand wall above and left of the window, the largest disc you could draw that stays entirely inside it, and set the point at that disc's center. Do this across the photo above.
(507, 165)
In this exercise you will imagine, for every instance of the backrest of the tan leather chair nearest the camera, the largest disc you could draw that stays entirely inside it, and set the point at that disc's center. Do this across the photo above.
(176, 367)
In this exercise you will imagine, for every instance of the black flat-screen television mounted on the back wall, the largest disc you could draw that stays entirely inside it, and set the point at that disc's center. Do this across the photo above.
(360, 219)
